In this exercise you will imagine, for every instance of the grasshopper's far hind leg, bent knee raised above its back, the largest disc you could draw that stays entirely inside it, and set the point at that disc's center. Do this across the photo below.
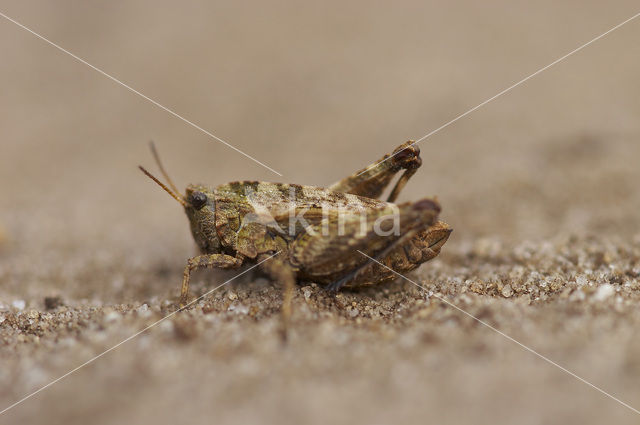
(372, 181)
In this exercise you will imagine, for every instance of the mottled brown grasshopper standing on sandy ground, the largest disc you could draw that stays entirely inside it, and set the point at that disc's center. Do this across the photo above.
(317, 232)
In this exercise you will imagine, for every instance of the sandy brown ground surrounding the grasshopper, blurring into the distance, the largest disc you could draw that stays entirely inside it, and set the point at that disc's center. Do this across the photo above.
(540, 186)
